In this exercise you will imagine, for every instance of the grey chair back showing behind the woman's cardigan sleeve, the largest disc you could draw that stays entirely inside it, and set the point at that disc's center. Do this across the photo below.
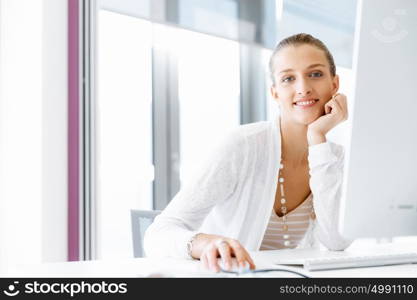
(141, 219)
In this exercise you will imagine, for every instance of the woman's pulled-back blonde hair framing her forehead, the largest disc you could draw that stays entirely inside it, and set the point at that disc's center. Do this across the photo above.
(297, 40)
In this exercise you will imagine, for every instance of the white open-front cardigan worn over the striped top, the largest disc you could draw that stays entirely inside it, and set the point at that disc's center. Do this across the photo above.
(233, 194)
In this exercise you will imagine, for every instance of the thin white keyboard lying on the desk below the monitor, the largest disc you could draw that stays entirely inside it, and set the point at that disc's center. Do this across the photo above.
(315, 264)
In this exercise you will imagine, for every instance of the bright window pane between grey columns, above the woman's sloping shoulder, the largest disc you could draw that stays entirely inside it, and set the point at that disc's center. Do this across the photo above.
(208, 88)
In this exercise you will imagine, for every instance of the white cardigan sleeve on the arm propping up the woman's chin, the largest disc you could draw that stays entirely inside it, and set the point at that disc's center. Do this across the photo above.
(326, 180)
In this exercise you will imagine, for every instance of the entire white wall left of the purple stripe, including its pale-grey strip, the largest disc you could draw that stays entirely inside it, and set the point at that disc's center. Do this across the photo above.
(33, 134)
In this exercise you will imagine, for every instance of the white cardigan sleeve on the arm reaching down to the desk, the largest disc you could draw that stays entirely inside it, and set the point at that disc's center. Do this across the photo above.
(213, 182)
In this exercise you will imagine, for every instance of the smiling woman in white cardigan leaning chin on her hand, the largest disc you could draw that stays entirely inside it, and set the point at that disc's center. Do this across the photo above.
(270, 185)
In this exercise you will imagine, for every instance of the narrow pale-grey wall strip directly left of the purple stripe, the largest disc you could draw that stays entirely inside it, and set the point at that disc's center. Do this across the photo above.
(54, 130)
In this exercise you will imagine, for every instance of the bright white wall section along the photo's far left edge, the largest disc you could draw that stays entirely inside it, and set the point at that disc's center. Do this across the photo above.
(20, 135)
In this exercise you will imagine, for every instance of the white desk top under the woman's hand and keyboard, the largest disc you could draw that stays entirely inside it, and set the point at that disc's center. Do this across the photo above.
(143, 267)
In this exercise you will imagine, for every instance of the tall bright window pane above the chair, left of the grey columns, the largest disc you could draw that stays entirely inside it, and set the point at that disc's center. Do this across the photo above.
(124, 128)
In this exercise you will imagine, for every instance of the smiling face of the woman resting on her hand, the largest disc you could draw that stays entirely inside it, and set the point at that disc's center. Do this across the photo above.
(303, 83)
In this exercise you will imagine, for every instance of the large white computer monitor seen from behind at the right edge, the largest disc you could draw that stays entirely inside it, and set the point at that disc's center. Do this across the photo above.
(380, 180)
